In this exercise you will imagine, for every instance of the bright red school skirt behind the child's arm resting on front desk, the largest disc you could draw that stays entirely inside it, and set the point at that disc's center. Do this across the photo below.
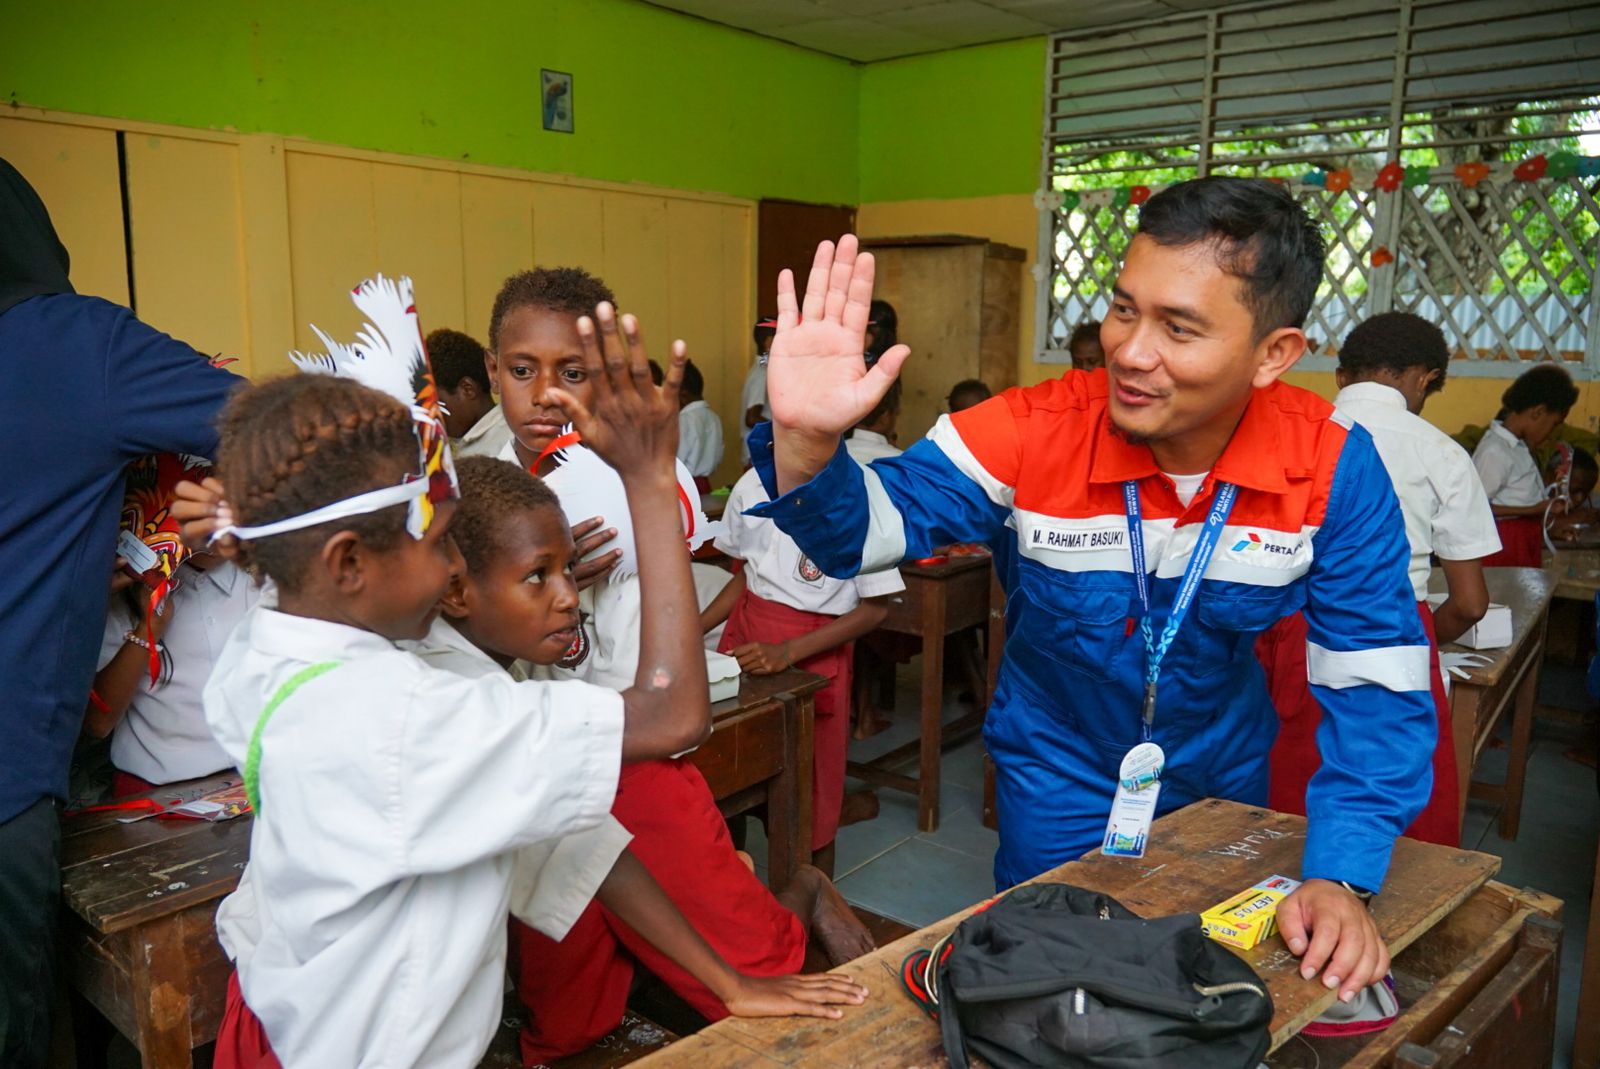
(577, 990)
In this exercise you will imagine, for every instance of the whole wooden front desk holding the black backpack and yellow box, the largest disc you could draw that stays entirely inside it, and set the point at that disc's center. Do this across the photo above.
(1476, 963)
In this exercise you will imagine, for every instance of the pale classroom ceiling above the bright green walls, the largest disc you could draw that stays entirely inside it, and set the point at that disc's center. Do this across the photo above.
(882, 30)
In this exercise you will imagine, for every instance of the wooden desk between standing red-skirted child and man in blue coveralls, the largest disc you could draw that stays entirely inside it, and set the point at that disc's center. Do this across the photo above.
(940, 601)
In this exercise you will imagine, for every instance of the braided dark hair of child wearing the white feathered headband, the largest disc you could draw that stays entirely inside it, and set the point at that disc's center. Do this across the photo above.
(306, 441)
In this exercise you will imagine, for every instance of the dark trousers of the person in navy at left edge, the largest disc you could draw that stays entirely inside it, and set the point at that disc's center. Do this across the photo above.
(30, 899)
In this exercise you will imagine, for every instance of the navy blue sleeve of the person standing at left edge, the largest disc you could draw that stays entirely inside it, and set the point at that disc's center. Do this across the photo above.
(161, 394)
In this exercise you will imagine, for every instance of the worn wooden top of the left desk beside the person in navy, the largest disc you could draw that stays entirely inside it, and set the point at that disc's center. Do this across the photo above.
(116, 876)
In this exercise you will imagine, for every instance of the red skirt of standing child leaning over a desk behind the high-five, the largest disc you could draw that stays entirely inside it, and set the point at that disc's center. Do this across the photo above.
(758, 620)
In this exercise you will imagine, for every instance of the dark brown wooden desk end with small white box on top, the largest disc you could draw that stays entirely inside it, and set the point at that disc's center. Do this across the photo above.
(761, 753)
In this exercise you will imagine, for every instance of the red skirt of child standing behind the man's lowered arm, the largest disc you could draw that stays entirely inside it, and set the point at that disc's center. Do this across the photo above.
(1295, 758)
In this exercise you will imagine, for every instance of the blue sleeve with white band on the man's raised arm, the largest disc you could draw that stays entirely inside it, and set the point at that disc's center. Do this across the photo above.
(854, 519)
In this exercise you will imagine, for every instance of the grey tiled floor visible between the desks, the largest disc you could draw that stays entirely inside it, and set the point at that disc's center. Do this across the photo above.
(890, 868)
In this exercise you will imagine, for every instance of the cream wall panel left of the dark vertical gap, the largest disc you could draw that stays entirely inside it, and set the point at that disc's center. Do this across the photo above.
(74, 169)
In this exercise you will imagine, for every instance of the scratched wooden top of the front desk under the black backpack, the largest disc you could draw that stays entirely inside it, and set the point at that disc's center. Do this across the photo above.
(1201, 857)
